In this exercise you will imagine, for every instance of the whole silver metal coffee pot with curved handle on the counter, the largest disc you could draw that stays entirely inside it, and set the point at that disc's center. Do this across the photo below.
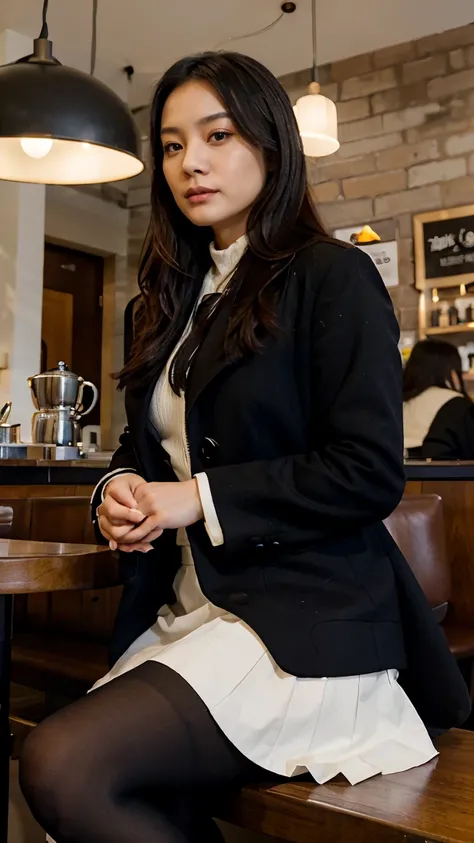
(58, 397)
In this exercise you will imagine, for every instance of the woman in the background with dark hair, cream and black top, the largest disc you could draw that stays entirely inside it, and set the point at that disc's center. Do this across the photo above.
(438, 414)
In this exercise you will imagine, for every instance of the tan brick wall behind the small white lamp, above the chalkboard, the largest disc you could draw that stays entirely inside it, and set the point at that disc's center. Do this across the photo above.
(406, 126)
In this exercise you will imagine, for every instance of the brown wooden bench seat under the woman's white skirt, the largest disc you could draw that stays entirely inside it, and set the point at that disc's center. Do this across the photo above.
(430, 803)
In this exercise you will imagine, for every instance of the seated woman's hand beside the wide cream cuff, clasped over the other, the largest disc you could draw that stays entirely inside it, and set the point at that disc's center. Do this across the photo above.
(165, 506)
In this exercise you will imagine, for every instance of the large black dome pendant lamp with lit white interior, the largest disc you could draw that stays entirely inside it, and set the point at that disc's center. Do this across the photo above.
(61, 126)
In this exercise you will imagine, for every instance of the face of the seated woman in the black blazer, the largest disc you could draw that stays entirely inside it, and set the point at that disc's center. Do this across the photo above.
(215, 176)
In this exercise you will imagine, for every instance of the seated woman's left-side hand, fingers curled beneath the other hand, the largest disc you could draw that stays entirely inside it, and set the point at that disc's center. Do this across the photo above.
(119, 513)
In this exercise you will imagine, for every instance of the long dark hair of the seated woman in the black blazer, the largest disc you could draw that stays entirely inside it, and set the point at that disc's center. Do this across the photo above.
(175, 255)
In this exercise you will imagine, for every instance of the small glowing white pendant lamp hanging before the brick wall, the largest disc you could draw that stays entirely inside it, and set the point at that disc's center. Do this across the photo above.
(316, 115)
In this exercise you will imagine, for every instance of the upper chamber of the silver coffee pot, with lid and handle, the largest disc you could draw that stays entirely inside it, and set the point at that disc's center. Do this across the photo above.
(59, 388)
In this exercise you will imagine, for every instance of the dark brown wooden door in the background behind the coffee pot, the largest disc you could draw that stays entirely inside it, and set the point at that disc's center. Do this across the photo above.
(72, 315)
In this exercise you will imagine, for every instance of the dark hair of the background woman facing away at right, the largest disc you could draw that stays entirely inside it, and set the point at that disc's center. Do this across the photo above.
(432, 363)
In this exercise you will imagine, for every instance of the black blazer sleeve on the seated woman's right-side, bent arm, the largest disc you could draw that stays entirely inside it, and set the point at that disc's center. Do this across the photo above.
(354, 474)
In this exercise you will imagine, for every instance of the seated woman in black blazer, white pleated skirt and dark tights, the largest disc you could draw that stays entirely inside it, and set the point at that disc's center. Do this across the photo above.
(265, 378)
